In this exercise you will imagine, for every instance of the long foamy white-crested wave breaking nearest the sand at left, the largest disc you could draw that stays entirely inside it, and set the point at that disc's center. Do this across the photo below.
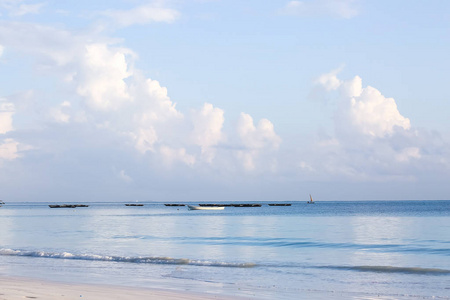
(126, 259)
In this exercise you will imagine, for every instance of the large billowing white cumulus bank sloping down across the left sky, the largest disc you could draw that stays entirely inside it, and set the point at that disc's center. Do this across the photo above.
(113, 98)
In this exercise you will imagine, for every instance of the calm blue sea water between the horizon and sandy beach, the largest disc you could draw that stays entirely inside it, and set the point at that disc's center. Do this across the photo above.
(326, 250)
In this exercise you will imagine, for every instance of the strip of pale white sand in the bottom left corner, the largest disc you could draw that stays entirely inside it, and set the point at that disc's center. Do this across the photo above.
(12, 288)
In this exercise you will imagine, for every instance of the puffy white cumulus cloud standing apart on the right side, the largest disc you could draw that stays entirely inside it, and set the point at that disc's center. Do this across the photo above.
(373, 140)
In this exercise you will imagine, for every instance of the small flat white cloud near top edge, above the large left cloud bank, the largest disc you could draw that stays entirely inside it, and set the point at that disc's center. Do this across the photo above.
(144, 14)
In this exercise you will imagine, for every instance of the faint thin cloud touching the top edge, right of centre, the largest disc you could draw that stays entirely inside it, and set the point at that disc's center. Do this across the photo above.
(337, 8)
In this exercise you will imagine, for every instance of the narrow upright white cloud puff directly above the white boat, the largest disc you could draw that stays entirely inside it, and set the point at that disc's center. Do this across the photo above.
(207, 133)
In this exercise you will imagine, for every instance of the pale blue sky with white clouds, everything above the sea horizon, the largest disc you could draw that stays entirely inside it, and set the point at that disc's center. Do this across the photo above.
(214, 100)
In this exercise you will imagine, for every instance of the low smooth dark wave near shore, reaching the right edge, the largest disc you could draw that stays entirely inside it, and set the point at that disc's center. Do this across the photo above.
(390, 269)
